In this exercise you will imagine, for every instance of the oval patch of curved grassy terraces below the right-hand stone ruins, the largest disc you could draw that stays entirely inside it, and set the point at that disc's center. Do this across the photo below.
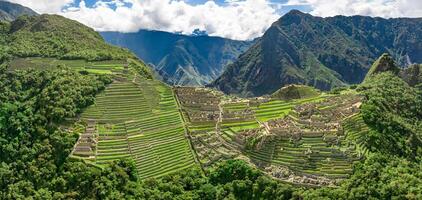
(309, 156)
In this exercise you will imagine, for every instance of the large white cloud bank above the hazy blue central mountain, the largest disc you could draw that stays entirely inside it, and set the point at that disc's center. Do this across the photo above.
(241, 20)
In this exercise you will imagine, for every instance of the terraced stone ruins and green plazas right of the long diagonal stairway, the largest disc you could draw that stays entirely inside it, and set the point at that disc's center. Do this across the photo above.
(307, 141)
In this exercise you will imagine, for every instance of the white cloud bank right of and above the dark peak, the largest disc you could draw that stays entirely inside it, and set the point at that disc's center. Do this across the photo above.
(379, 8)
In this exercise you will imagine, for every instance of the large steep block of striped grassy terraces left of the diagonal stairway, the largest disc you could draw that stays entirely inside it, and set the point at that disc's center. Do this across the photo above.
(140, 120)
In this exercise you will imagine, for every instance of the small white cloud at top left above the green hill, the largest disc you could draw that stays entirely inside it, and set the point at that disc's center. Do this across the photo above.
(44, 6)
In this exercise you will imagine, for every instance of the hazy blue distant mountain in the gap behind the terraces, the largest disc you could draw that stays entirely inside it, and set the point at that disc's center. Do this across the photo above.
(181, 59)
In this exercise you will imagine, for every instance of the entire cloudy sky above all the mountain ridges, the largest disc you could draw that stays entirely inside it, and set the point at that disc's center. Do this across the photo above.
(235, 19)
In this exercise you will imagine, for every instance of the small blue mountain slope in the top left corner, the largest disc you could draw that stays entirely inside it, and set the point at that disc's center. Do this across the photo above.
(10, 11)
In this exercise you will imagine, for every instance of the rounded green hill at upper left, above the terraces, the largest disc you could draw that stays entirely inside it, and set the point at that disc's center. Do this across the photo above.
(55, 36)
